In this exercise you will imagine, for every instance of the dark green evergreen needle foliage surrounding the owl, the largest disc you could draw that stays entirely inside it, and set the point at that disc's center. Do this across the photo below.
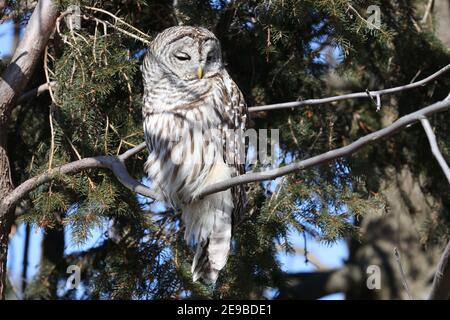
(277, 51)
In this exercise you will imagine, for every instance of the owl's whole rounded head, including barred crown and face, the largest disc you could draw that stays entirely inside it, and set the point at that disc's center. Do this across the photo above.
(188, 53)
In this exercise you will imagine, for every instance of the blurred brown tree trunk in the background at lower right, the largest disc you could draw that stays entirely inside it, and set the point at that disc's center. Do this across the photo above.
(399, 226)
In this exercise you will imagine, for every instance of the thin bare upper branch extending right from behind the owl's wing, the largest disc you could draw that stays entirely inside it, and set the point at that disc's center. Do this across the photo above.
(366, 94)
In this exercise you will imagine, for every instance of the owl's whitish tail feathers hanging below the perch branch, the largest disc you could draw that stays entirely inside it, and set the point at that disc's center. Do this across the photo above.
(208, 225)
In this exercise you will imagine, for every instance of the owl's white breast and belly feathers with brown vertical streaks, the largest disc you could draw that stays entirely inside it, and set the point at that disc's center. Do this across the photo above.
(184, 145)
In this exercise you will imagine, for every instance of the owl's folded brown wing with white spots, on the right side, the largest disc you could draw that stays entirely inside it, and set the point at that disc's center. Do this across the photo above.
(235, 116)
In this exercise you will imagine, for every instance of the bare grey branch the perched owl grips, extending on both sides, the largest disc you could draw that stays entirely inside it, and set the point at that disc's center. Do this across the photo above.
(116, 164)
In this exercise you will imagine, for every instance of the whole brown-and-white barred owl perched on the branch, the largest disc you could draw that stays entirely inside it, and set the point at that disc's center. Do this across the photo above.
(188, 91)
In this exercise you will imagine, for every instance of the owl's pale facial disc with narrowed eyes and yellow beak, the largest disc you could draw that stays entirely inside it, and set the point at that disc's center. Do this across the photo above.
(193, 59)
